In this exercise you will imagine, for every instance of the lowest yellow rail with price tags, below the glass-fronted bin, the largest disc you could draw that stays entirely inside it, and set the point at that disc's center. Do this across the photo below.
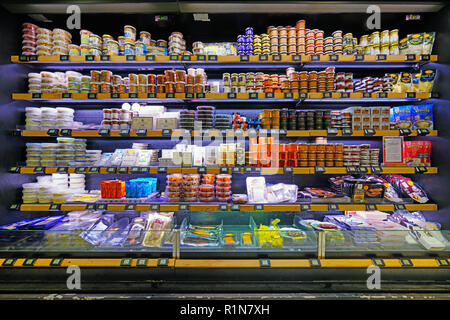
(217, 263)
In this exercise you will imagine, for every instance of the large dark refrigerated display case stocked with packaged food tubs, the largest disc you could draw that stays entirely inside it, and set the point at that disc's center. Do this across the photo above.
(232, 157)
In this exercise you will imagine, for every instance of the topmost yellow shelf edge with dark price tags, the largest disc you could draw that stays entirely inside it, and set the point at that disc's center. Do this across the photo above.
(211, 61)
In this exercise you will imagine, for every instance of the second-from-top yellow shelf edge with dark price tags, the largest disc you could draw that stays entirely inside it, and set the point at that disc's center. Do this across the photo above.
(223, 97)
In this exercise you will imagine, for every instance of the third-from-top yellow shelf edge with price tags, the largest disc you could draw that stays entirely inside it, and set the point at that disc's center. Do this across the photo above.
(215, 132)
